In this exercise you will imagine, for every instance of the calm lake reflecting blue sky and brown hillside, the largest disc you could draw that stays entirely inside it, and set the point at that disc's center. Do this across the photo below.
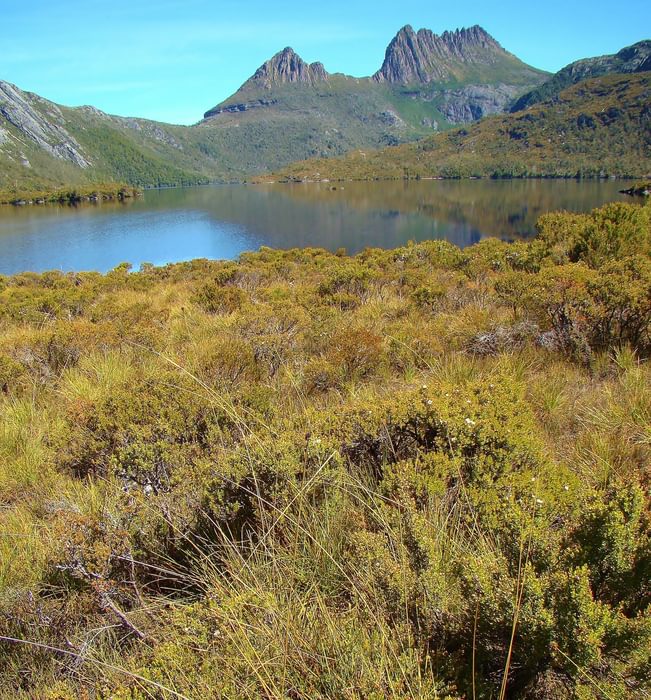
(223, 221)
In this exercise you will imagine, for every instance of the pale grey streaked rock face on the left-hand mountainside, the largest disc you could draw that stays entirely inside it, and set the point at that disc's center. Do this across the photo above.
(40, 121)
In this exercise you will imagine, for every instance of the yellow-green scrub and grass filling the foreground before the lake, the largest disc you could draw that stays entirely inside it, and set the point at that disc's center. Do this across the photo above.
(421, 472)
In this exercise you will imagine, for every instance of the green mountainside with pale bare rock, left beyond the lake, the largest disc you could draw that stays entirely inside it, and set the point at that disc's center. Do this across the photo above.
(47, 145)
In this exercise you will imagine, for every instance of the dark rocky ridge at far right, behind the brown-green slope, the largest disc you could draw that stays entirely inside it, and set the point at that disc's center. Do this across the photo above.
(632, 59)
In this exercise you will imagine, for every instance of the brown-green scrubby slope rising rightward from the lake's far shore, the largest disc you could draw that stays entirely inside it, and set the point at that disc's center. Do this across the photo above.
(598, 127)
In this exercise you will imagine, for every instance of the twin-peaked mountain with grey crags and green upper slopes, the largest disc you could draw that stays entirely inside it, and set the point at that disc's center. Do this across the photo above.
(426, 83)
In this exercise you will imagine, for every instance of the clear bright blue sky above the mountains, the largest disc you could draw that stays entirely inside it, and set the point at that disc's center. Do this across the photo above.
(172, 60)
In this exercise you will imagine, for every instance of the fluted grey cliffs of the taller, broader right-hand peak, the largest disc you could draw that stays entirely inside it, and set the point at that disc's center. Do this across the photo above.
(425, 57)
